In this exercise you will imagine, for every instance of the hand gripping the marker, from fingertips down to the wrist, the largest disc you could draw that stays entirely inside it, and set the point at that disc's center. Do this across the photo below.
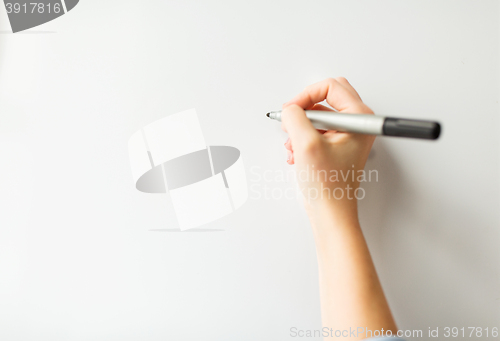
(326, 161)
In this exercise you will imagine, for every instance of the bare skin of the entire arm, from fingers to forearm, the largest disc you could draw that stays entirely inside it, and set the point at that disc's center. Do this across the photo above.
(350, 292)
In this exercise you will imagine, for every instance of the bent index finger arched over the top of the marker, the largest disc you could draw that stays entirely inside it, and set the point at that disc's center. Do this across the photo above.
(330, 89)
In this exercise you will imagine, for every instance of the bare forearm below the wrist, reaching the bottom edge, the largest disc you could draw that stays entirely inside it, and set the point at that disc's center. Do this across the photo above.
(350, 291)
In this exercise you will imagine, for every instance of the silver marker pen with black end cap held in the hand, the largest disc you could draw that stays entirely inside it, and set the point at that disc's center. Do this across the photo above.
(369, 124)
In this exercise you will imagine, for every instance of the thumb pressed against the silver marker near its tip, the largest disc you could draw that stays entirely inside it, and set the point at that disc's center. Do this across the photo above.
(295, 122)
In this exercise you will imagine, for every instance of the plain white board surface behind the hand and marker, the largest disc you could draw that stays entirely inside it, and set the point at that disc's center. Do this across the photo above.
(77, 259)
